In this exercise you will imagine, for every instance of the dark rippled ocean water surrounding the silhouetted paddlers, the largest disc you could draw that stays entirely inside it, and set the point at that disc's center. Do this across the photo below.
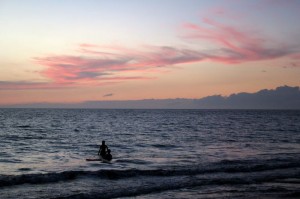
(156, 153)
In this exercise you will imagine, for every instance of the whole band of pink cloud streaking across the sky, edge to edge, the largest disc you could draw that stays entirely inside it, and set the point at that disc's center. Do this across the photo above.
(94, 64)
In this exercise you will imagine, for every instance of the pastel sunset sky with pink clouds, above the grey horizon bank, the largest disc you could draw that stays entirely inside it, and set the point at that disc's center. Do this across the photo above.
(68, 51)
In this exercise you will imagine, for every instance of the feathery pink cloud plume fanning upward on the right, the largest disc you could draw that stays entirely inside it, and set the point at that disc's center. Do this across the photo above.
(234, 45)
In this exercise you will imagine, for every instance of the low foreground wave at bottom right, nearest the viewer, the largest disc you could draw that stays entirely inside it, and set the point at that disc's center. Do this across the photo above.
(148, 185)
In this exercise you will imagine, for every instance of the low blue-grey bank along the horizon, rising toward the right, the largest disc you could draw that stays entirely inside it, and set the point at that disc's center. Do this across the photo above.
(283, 97)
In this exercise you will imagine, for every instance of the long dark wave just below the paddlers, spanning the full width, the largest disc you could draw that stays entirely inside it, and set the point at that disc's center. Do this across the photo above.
(225, 166)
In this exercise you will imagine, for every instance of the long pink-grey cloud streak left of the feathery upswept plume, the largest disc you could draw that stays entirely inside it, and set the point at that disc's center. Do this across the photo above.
(117, 64)
